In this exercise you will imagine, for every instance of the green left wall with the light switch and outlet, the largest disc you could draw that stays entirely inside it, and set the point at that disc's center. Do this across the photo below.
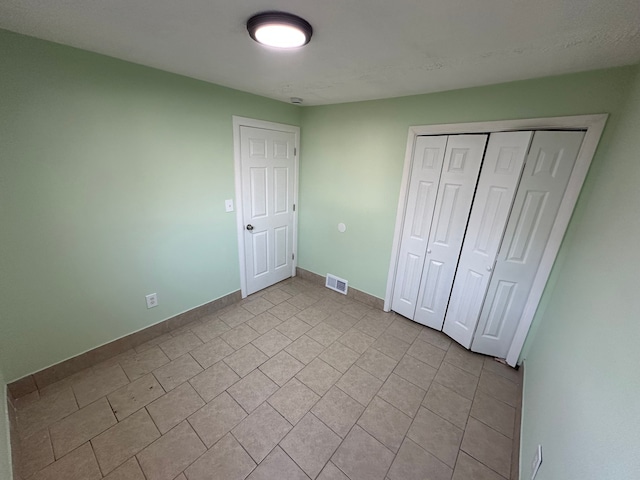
(113, 178)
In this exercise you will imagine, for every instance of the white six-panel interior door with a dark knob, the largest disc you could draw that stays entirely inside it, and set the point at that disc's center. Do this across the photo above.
(268, 179)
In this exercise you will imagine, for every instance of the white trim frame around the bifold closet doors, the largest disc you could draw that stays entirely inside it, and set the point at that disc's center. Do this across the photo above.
(593, 124)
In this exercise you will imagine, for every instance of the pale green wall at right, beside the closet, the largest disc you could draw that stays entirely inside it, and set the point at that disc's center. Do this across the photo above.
(582, 385)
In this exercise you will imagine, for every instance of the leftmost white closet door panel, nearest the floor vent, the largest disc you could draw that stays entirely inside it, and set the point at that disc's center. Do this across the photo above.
(423, 186)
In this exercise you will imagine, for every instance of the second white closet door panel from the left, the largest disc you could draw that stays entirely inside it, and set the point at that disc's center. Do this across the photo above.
(462, 162)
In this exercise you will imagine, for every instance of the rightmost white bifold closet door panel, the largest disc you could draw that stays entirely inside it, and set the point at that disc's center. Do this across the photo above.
(544, 180)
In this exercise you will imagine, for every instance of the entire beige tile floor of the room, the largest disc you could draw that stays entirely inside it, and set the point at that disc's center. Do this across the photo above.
(294, 382)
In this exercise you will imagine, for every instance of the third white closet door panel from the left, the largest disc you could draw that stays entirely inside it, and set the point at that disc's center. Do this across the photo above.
(499, 178)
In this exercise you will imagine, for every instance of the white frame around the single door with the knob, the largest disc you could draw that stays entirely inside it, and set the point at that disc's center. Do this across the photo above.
(280, 127)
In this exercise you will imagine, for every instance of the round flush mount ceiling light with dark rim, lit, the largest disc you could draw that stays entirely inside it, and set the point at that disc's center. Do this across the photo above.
(279, 29)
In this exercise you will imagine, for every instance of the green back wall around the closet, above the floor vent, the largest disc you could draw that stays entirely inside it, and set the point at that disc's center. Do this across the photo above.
(353, 155)
